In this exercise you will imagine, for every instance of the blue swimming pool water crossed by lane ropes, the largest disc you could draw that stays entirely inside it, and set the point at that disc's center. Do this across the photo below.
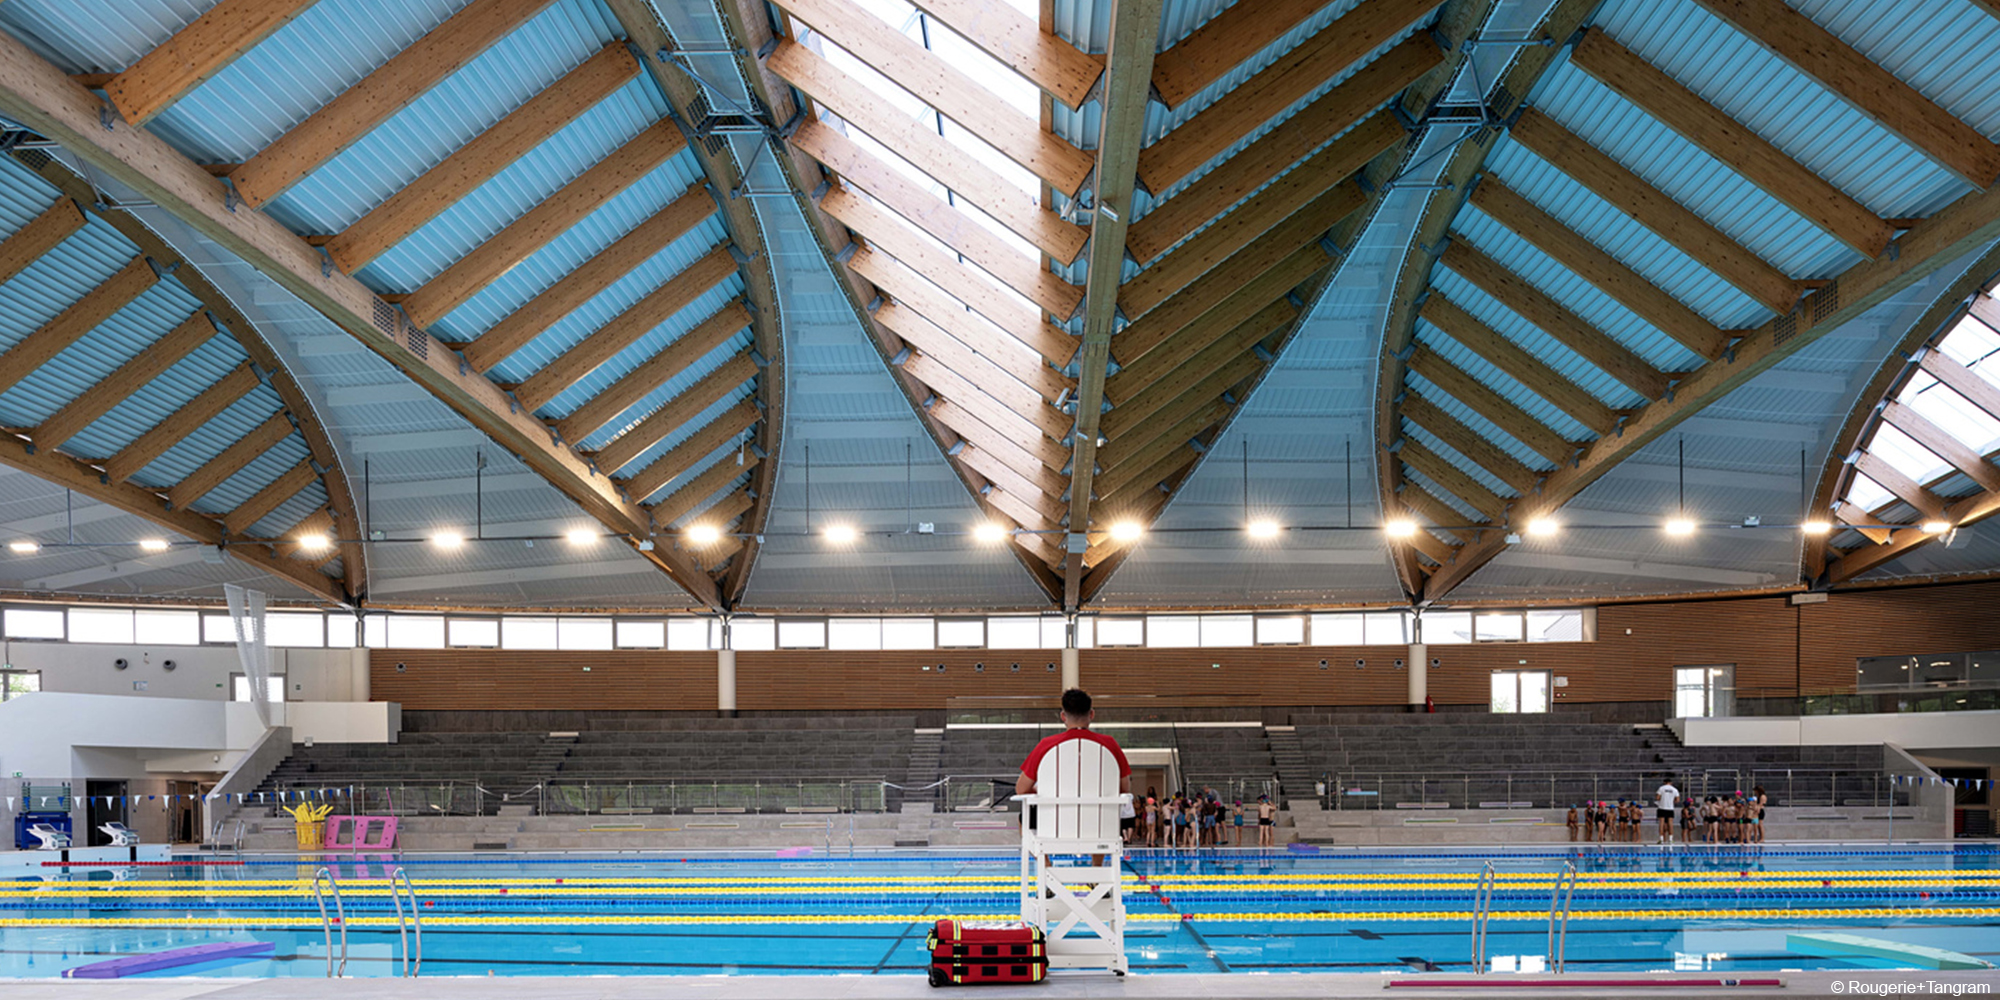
(1635, 911)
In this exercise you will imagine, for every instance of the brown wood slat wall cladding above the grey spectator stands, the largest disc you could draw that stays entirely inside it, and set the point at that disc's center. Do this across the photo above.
(1777, 649)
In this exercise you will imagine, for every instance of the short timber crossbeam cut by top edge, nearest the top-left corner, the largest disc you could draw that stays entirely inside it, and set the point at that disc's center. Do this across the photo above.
(207, 47)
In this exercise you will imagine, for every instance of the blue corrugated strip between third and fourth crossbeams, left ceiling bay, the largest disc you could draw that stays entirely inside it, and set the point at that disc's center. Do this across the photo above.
(513, 193)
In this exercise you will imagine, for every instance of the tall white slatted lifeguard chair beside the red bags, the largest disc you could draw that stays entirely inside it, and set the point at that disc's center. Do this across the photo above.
(1075, 811)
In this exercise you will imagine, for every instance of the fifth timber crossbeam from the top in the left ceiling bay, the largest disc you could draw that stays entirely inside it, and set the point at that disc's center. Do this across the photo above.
(591, 279)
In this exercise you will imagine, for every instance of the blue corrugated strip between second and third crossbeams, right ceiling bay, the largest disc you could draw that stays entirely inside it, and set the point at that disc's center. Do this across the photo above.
(1687, 175)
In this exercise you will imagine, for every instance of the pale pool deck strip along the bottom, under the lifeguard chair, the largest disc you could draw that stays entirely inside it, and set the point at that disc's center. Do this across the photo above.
(1291, 987)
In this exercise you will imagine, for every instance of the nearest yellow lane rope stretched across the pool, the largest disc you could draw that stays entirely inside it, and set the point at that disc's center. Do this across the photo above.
(575, 921)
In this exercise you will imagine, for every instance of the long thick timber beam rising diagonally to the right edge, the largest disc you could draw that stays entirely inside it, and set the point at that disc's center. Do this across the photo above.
(1955, 231)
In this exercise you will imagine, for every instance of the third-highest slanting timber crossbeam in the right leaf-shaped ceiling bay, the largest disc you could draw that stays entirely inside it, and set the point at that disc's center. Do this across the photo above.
(1659, 213)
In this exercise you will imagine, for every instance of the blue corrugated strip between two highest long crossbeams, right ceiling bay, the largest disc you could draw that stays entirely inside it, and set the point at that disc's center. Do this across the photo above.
(1797, 115)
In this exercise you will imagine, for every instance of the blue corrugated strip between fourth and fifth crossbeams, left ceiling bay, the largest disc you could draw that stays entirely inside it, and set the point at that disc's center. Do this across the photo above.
(565, 253)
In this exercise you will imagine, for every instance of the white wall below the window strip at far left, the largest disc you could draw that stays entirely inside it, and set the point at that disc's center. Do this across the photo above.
(201, 673)
